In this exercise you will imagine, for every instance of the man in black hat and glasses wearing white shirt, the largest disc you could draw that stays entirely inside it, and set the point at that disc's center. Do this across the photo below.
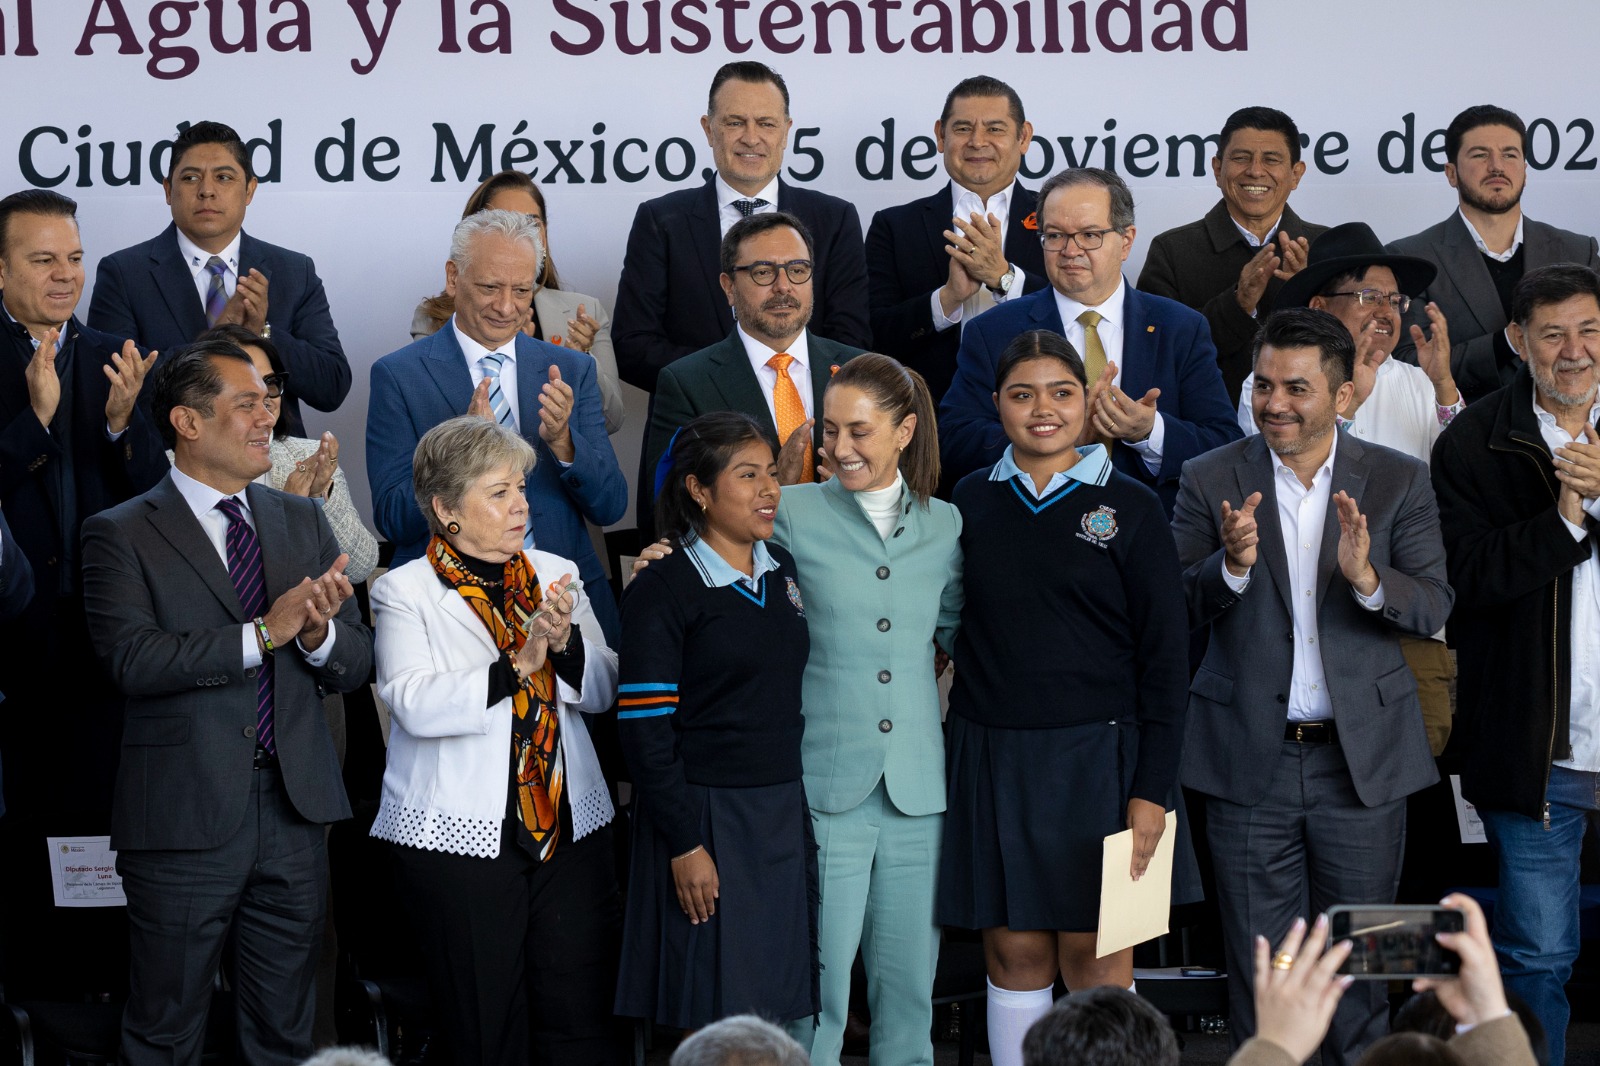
(1399, 406)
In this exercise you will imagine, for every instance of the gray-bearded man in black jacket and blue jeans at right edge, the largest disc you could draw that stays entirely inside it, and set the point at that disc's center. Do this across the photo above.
(1519, 492)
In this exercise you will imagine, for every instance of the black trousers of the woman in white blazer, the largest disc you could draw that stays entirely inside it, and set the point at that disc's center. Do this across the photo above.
(521, 955)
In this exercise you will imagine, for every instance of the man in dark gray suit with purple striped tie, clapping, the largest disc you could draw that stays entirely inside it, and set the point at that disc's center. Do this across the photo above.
(212, 603)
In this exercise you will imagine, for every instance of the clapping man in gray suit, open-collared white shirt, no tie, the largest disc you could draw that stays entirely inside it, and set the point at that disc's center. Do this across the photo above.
(1305, 729)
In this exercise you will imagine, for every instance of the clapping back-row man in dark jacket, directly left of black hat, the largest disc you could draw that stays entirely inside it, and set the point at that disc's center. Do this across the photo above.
(1231, 263)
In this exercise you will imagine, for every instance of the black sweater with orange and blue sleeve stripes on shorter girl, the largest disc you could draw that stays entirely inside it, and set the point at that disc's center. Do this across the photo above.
(710, 686)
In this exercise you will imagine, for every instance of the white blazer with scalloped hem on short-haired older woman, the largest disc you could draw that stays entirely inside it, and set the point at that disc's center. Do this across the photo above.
(449, 753)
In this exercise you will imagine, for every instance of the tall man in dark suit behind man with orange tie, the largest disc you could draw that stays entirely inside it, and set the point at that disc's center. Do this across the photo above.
(668, 302)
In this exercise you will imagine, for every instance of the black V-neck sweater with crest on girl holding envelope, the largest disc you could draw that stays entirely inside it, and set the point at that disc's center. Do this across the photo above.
(1074, 614)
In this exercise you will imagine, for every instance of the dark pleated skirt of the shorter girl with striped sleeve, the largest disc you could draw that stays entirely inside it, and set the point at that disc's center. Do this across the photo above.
(759, 952)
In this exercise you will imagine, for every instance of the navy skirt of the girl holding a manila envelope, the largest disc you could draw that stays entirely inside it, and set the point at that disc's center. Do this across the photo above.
(1026, 824)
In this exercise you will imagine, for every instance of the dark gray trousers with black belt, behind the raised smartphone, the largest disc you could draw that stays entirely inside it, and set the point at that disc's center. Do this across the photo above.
(1305, 848)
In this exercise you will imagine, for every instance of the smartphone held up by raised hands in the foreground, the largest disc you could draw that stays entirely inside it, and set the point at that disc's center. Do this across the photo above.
(1398, 940)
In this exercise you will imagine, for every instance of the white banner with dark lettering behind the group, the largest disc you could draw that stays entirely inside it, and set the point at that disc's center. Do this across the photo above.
(374, 119)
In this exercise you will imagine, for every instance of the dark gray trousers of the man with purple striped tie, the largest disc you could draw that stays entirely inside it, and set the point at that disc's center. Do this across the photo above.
(268, 884)
